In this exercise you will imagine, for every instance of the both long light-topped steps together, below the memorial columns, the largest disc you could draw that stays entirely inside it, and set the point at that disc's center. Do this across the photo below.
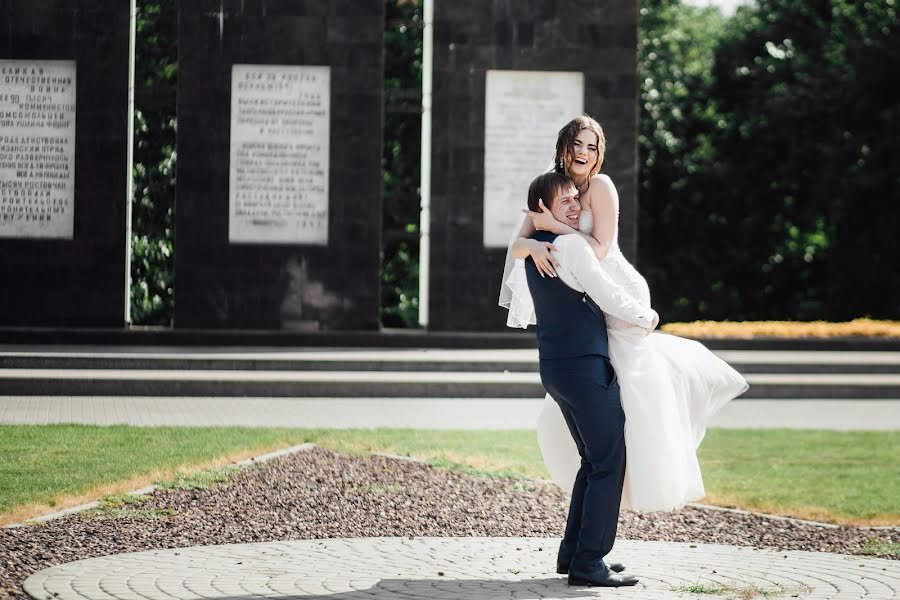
(390, 372)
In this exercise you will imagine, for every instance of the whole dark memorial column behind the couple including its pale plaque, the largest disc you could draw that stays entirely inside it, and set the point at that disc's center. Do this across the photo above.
(507, 77)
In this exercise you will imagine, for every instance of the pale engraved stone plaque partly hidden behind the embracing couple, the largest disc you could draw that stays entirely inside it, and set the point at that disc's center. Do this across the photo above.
(524, 111)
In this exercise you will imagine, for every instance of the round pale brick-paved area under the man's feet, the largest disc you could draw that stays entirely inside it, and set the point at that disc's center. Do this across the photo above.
(456, 568)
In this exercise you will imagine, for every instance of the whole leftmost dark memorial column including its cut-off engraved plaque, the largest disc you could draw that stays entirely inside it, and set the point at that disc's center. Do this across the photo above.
(63, 162)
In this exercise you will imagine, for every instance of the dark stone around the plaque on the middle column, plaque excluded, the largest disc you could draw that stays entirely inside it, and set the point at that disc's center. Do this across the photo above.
(279, 286)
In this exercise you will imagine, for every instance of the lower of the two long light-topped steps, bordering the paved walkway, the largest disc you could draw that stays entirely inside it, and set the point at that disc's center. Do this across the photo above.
(401, 384)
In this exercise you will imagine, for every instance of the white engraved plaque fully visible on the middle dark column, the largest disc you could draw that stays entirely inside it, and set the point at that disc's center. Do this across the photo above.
(278, 173)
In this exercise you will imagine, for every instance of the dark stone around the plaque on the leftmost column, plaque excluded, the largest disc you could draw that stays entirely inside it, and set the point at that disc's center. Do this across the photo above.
(77, 282)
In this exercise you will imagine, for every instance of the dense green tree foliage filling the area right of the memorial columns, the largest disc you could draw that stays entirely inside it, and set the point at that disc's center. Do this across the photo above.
(790, 215)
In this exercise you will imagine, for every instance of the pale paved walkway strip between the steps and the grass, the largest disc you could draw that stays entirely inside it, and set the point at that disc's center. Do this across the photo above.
(421, 413)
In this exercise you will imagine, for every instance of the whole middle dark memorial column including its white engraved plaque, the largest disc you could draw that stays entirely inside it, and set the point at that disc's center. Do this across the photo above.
(278, 208)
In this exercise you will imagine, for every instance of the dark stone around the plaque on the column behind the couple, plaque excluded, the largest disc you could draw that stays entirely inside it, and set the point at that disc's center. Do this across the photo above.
(597, 37)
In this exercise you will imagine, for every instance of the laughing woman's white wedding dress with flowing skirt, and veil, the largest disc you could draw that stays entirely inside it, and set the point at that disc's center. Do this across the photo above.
(670, 387)
